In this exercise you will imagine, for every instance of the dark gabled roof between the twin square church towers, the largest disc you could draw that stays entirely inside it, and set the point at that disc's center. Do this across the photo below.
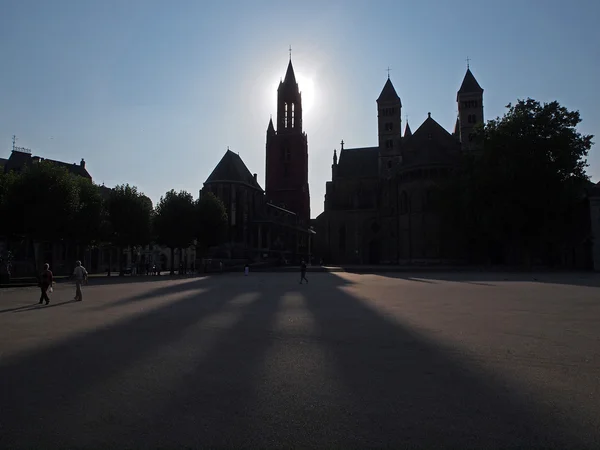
(430, 144)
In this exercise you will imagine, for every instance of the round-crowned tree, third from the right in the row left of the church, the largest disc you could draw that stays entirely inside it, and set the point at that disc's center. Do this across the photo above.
(130, 214)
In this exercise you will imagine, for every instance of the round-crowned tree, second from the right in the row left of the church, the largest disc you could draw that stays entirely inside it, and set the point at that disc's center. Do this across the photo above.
(174, 221)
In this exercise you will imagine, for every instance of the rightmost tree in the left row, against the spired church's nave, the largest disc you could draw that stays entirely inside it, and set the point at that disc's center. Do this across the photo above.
(211, 221)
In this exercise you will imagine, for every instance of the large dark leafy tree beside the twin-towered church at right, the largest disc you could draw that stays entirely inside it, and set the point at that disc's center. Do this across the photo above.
(518, 192)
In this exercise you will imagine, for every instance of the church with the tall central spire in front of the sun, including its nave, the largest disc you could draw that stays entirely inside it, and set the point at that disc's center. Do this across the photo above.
(272, 223)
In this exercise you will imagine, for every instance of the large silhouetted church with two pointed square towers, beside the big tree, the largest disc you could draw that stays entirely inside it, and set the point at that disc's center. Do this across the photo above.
(379, 204)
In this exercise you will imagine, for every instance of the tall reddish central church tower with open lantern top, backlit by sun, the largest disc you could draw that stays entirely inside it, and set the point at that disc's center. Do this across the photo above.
(287, 151)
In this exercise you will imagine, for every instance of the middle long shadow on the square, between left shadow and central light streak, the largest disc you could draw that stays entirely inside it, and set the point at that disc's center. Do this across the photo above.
(214, 405)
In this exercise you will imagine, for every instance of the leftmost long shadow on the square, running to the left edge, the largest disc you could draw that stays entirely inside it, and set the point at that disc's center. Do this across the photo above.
(51, 379)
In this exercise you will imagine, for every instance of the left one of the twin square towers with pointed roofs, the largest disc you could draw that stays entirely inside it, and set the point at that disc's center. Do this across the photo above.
(389, 109)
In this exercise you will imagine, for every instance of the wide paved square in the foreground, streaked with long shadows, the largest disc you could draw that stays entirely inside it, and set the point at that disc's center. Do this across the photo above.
(399, 360)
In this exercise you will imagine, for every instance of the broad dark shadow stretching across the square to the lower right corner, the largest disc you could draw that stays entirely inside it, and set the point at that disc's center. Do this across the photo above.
(409, 391)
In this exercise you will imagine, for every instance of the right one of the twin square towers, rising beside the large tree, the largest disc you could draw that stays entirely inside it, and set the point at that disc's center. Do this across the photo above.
(470, 108)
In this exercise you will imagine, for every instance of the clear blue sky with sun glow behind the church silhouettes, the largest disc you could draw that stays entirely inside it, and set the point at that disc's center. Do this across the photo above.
(151, 92)
